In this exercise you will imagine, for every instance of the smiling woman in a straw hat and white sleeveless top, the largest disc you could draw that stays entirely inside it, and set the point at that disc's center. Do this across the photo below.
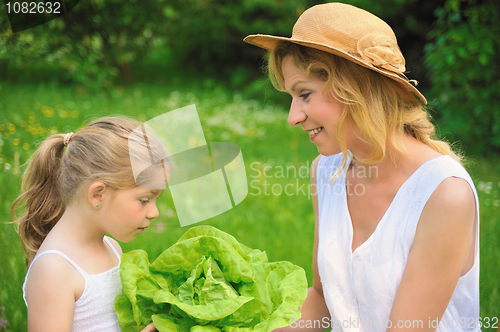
(397, 217)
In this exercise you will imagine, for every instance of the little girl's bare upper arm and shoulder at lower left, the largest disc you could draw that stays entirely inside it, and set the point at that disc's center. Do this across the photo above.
(50, 292)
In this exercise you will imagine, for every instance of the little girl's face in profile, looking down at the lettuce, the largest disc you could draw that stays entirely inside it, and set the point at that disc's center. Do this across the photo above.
(129, 211)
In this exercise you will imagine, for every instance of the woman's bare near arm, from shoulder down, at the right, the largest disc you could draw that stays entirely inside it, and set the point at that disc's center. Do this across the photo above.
(441, 252)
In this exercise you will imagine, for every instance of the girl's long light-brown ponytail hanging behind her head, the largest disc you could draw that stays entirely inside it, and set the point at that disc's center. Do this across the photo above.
(40, 202)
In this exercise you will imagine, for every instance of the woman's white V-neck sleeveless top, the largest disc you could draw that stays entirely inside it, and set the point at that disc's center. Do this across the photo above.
(359, 287)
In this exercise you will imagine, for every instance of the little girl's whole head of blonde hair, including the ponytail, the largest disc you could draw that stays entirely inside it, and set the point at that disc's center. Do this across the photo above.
(57, 175)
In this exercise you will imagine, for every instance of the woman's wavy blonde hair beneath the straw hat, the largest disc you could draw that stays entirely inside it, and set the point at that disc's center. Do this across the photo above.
(380, 107)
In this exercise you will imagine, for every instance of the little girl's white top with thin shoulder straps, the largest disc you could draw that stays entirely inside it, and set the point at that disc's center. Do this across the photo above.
(94, 310)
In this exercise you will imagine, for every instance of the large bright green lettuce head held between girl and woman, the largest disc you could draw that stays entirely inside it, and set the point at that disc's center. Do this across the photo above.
(208, 282)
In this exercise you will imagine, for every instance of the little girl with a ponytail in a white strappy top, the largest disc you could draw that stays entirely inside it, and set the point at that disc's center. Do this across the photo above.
(77, 188)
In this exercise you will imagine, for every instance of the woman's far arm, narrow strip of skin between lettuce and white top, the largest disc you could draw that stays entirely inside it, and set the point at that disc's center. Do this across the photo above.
(314, 308)
